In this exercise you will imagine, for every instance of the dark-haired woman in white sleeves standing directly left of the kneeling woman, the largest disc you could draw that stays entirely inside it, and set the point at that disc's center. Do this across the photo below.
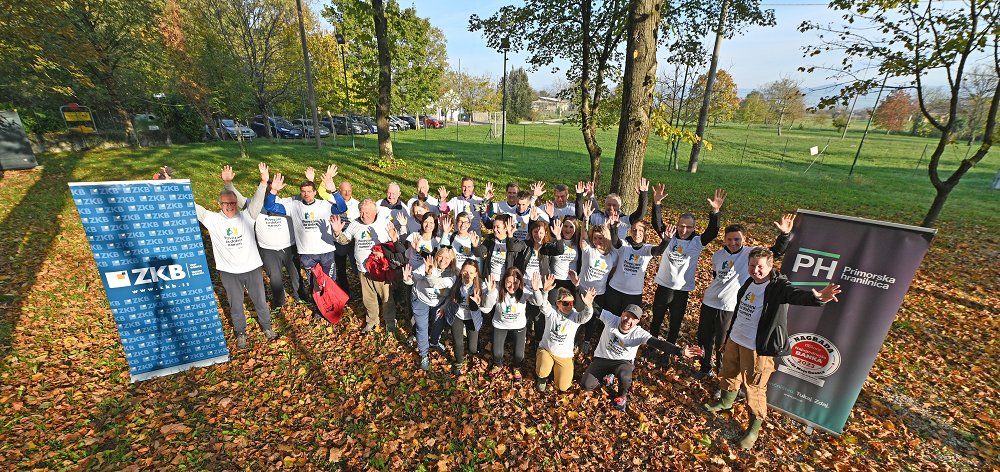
(511, 301)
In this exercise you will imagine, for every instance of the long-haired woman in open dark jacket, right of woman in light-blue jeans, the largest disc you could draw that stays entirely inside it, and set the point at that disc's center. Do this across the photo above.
(461, 311)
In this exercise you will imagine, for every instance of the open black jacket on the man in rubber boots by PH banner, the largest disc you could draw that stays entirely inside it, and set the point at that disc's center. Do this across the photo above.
(772, 331)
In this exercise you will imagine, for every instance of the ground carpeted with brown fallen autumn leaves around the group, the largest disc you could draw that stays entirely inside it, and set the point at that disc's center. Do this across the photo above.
(324, 397)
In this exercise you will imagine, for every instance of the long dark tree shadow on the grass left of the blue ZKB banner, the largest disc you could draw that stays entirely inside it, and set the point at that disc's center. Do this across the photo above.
(26, 237)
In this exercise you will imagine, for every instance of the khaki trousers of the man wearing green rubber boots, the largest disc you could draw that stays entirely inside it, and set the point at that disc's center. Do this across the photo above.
(743, 366)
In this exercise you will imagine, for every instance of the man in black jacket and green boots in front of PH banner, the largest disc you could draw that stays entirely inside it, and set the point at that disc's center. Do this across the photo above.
(758, 333)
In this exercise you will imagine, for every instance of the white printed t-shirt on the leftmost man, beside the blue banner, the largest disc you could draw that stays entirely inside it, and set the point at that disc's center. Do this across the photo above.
(234, 245)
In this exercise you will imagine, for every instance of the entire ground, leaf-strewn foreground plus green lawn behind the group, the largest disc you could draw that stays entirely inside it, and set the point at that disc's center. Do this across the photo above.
(329, 398)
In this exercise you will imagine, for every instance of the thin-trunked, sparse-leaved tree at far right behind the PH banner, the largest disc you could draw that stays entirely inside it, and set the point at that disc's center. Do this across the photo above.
(909, 41)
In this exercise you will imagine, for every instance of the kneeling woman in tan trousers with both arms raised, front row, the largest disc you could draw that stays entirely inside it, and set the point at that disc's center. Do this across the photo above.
(555, 351)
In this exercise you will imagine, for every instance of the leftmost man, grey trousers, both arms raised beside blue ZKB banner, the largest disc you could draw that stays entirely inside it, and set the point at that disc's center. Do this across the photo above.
(234, 249)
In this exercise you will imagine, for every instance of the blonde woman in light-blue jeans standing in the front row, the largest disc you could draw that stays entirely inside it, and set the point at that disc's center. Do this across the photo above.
(431, 282)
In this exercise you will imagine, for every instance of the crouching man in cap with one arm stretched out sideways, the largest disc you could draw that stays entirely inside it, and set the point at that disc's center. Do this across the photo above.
(615, 353)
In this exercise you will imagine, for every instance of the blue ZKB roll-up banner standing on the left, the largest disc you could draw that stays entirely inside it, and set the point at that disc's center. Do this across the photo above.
(149, 252)
